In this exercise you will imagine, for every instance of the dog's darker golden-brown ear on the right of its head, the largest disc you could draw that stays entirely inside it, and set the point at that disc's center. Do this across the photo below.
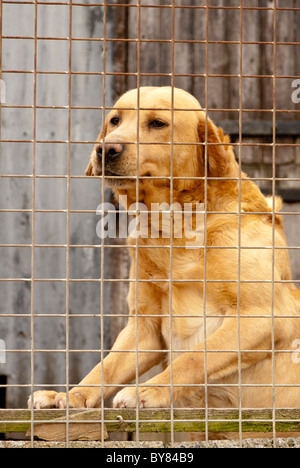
(218, 157)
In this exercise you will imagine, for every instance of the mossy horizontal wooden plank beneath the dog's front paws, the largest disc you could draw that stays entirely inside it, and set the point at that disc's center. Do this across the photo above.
(86, 425)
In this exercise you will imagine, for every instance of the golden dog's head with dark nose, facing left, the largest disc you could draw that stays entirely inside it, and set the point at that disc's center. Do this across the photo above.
(158, 133)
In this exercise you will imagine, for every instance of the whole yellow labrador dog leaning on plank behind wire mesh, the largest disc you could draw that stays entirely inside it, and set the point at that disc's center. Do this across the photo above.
(234, 311)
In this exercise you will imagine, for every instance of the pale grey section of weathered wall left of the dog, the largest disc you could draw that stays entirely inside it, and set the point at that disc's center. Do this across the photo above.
(51, 194)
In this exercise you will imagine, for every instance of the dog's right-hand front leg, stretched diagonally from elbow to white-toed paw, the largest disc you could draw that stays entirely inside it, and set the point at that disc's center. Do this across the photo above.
(224, 353)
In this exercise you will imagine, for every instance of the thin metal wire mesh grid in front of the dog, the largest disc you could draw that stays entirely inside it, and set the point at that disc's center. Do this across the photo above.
(68, 177)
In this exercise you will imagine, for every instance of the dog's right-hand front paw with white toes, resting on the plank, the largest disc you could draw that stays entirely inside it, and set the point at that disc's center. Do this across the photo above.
(145, 397)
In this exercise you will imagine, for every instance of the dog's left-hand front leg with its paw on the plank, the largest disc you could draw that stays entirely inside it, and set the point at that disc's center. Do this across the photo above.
(119, 367)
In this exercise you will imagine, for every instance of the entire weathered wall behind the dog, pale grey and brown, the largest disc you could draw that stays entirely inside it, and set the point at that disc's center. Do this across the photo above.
(51, 158)
